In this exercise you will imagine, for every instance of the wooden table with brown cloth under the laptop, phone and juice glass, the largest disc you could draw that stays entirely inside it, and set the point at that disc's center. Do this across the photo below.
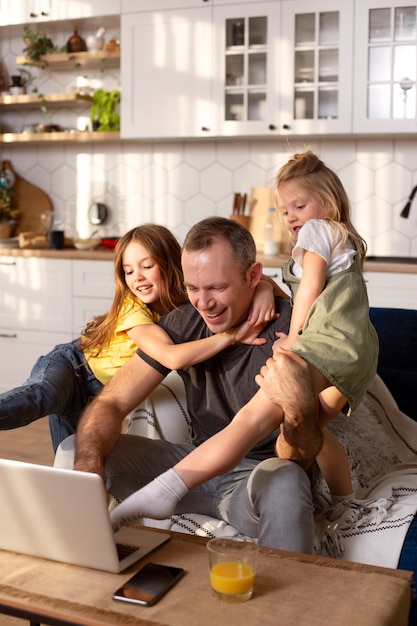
(290, 589)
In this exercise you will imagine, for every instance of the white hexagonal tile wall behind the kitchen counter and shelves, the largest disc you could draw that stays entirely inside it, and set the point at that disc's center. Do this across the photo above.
(178, 183)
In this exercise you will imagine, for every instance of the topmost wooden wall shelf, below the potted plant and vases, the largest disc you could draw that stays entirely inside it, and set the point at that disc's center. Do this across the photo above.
(73, 60)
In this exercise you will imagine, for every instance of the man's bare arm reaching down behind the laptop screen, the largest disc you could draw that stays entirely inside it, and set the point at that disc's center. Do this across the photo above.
(100, 424)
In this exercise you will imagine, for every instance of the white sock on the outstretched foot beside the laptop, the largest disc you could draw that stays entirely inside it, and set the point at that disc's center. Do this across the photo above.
(158, 500)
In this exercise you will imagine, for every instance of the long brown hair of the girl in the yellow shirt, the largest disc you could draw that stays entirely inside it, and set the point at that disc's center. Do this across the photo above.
(165, 252)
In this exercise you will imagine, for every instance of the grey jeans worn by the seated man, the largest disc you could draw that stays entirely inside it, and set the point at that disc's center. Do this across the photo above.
(268, 499)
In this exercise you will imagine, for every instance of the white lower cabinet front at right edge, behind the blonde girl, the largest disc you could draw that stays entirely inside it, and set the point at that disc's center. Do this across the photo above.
(398, 291)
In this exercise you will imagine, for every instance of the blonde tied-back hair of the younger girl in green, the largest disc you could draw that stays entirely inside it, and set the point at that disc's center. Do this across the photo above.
(314, 176)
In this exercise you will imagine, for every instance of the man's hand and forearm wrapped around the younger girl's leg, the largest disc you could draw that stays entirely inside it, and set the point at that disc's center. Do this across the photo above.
(286, 380)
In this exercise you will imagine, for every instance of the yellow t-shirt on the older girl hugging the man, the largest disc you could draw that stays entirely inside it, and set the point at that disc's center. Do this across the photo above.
(121, 348)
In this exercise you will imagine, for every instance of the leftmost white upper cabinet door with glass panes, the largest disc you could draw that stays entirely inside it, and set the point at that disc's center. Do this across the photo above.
(246, 68)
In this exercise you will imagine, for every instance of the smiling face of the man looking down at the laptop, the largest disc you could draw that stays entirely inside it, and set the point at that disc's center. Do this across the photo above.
(215, 285)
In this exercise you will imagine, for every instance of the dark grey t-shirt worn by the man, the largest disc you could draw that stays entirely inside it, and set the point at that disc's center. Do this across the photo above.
(217, 388)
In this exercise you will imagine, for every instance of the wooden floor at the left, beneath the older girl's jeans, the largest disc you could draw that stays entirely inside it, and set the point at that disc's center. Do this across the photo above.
(31, 444)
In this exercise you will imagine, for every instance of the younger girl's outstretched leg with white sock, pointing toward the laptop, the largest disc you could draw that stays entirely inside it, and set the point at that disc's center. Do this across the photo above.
(215, 456)
